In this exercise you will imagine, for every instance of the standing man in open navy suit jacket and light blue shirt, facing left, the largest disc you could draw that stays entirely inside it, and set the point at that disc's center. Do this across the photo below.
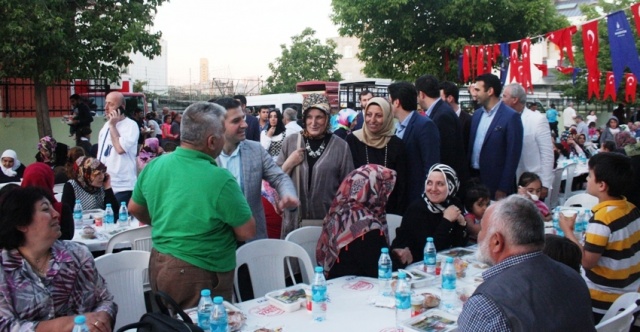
(495, 139)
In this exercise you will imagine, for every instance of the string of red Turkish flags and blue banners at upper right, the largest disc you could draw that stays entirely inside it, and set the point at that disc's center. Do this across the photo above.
(480, 59)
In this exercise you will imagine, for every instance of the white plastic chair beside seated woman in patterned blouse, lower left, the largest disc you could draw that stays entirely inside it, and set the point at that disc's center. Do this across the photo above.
(123, 273)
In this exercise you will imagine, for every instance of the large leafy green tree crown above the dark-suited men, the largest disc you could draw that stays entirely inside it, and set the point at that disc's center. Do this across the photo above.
(403, 39)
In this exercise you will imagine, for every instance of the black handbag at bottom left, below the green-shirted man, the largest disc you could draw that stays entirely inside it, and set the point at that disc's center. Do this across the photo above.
(163, 320)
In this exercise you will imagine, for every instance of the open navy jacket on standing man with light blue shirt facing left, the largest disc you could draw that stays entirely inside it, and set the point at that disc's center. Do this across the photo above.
(501, 149)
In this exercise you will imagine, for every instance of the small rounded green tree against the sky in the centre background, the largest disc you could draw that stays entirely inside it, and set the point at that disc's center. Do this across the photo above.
(305, 60)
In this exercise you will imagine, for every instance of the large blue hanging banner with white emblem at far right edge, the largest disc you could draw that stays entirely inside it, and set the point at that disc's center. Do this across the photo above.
(622, 46)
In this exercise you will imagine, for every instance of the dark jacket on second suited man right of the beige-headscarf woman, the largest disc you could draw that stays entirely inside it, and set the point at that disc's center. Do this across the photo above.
(452, 150)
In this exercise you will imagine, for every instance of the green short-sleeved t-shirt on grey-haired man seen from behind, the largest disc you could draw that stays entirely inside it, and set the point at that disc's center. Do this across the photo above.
(193, 205)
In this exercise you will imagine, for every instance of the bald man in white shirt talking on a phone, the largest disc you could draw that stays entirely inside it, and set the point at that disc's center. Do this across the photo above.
(117, 144)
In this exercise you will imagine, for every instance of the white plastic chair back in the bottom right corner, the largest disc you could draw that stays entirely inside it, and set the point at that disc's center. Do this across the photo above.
(620, 315)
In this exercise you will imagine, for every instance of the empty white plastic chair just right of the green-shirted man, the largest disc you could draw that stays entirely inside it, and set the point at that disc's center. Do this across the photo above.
(265, 260)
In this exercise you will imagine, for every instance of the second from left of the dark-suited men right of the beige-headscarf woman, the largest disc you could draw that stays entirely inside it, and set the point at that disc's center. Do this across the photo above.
(449, 127)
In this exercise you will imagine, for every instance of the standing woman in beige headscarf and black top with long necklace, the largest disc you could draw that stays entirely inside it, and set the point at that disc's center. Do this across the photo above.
(376, 143)
